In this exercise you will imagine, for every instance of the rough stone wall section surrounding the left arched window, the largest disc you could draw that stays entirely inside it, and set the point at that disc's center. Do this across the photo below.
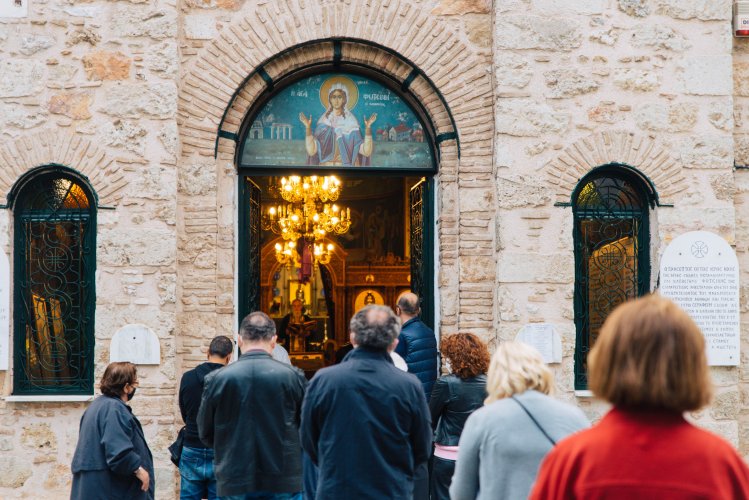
(93, 86)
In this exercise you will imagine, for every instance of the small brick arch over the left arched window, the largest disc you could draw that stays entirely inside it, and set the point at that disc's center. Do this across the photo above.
(57, 147)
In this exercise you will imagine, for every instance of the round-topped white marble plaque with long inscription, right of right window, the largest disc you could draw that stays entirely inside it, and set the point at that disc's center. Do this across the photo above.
(700, 273)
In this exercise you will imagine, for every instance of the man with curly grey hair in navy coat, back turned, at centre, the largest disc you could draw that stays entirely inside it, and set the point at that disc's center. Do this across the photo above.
(365, 423)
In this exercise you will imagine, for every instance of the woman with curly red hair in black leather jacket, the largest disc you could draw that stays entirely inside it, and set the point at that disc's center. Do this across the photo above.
(454, 397)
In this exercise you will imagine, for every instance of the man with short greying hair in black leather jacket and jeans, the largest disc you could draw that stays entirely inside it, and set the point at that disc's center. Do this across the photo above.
(250, 417)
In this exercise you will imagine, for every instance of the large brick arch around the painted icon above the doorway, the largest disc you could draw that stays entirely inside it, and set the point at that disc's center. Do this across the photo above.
(272, 29)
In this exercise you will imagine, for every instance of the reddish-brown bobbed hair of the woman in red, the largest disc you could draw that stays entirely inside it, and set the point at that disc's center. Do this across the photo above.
(650, 355)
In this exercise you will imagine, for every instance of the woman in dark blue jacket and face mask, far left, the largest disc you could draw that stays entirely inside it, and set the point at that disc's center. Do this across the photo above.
(112, 460)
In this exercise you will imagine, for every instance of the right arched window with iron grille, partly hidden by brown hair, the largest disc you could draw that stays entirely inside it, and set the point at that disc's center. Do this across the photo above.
(612, 252)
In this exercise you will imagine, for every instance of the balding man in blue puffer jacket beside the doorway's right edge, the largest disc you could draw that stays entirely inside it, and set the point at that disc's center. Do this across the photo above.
(417, 344)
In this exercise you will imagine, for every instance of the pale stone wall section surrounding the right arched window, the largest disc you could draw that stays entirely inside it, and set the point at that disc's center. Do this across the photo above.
(584, 84)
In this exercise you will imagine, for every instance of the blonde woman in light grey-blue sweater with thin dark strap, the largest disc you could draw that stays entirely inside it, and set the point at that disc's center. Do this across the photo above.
(504, 442)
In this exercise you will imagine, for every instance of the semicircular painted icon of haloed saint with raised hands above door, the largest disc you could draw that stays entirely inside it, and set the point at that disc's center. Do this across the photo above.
(339, 120)
